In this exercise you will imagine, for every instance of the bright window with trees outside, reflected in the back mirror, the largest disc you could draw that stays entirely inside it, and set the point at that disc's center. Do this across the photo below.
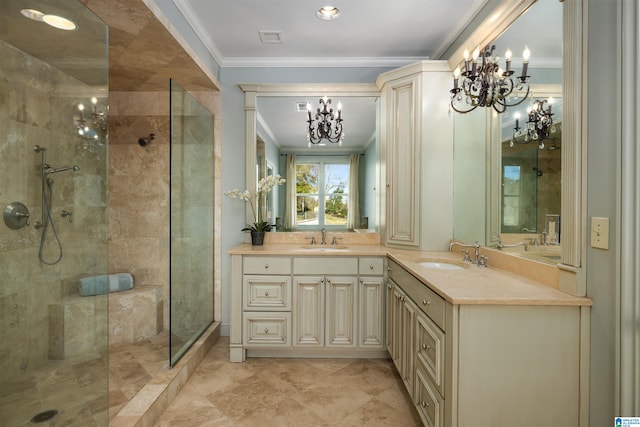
(322, 193)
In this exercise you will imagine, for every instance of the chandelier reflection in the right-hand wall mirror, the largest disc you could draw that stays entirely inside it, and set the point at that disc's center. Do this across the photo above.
(539, 124)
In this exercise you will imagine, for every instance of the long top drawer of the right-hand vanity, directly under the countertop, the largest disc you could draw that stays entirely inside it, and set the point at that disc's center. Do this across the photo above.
(427, 300)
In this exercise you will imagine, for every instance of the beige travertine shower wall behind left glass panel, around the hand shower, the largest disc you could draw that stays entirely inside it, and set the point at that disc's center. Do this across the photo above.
(41, 314)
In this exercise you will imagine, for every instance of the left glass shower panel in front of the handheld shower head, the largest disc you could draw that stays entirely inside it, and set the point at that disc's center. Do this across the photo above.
(53, 168)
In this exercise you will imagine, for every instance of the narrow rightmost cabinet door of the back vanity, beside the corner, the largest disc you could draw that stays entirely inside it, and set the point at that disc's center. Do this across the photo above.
(371, 314)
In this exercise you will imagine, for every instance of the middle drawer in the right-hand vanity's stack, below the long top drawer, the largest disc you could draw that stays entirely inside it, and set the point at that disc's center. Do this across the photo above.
(430, 350)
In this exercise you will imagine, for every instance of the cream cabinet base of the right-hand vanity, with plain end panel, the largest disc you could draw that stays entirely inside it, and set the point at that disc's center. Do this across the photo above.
(483, 364)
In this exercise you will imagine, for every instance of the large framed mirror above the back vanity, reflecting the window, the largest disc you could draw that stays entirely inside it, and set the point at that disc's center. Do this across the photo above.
(329, 185)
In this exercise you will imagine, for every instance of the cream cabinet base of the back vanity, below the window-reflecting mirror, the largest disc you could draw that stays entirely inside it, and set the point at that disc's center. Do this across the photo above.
(307, 306)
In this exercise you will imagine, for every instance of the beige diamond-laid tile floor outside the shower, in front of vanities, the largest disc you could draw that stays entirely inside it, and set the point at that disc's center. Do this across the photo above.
(290, 392)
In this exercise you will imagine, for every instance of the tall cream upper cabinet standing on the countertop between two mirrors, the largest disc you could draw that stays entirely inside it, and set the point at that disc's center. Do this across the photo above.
(416, 135)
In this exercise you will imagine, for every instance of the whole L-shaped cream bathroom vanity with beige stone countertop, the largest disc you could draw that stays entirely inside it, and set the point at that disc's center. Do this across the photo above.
(473, 345)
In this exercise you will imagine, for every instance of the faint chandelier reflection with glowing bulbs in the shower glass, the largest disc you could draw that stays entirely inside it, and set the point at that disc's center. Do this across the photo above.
(91, 128)
